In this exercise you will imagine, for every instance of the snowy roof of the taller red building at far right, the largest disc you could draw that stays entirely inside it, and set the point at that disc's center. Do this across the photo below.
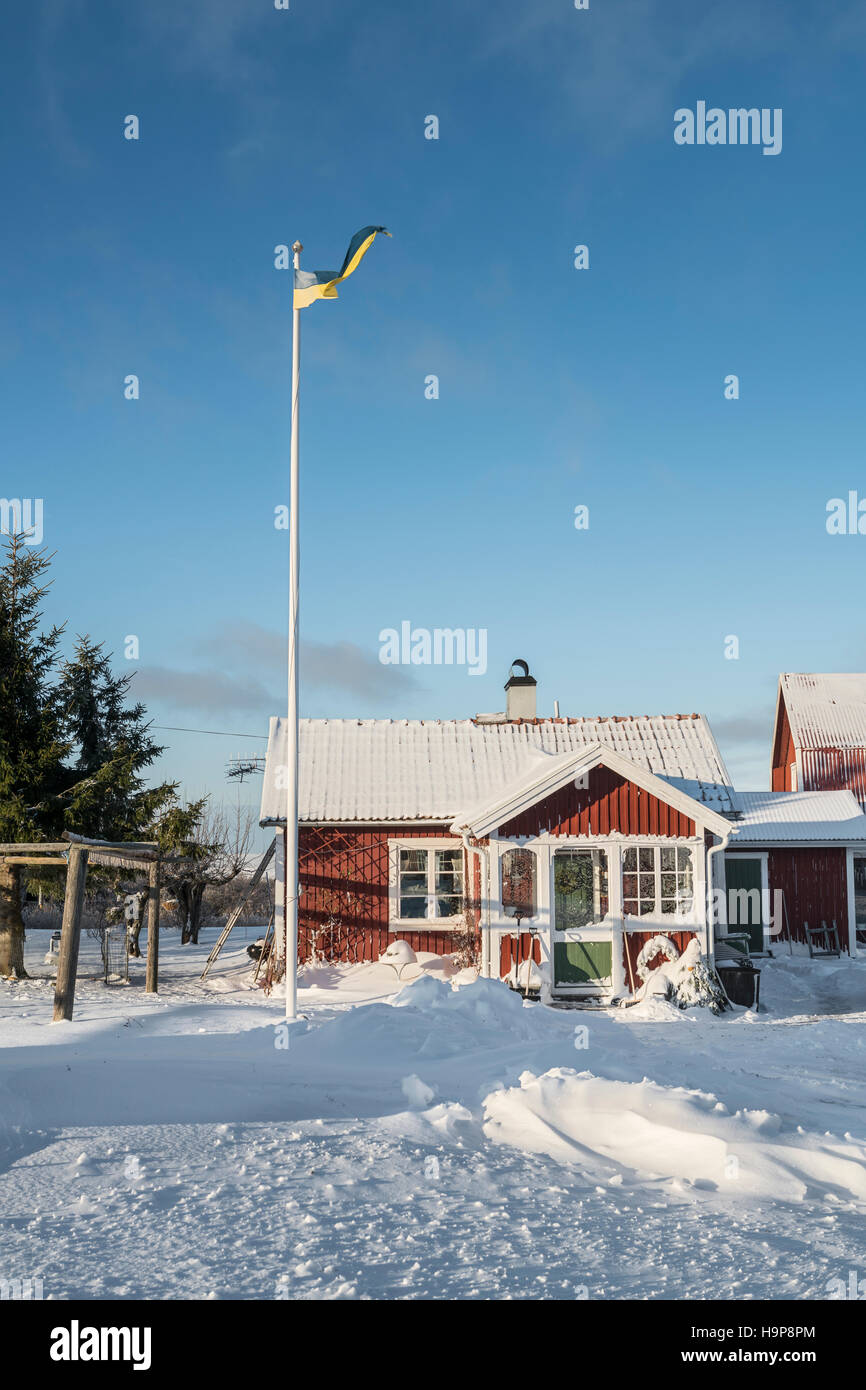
(826, 711)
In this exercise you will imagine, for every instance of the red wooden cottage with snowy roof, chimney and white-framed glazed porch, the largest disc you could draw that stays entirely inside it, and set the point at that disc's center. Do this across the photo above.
(573, 840)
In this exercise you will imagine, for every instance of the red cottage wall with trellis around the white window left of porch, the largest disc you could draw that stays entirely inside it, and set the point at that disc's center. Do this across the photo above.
(344, 874)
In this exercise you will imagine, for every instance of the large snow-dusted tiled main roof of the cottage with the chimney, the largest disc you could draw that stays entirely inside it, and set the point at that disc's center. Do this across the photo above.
(382, 769)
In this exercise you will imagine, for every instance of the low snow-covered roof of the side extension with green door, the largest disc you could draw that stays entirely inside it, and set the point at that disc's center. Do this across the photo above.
(799, 817)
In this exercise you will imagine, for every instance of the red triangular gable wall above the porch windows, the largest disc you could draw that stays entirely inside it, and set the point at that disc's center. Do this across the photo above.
(610, 804)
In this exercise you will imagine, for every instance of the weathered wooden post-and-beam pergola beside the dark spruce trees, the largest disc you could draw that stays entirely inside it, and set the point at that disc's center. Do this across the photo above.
(76, 853)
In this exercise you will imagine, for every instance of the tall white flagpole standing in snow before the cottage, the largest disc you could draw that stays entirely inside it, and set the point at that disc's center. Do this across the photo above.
(291, 865)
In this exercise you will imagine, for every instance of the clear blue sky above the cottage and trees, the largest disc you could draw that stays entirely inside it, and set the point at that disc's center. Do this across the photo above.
(557, 387)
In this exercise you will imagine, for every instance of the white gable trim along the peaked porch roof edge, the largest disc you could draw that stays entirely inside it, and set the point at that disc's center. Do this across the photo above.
(544, 782)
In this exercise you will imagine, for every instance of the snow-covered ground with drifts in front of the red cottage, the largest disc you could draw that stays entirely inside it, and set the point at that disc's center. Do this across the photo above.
(432, 1140)
